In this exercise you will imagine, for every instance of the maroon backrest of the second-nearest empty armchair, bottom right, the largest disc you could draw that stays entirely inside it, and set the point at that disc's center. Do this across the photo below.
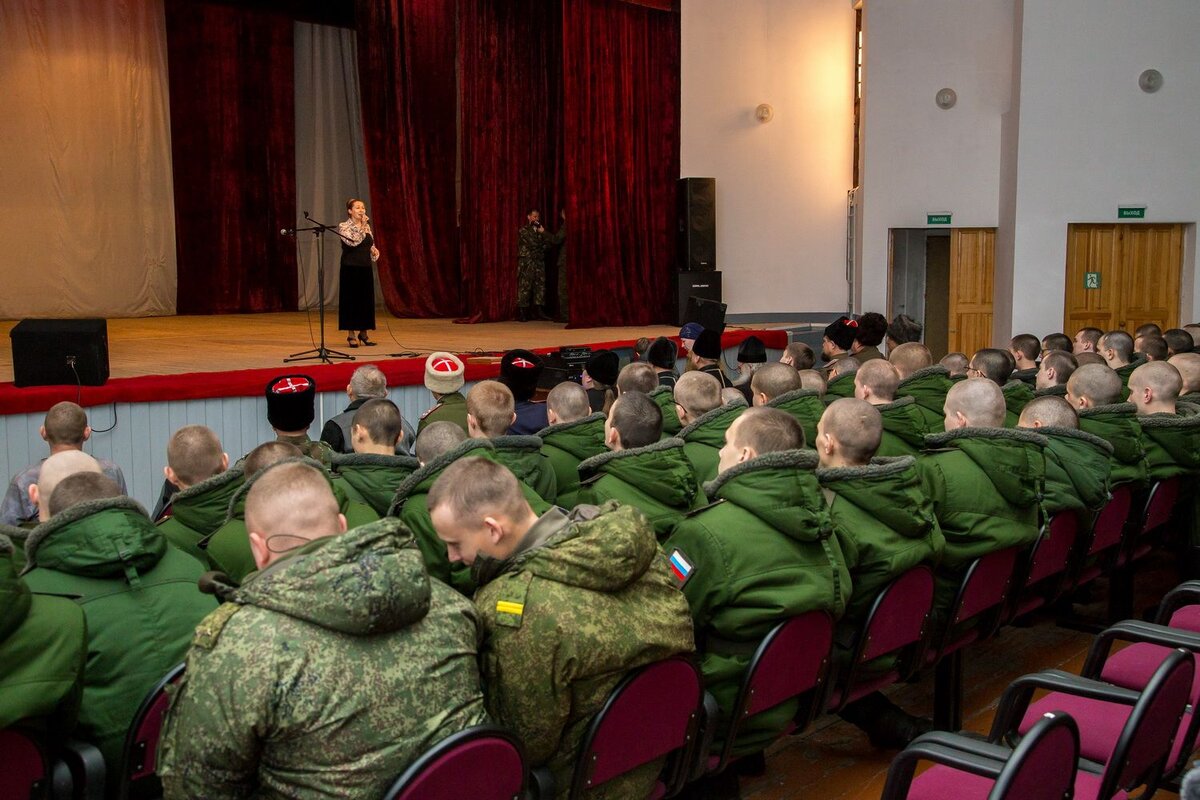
(1145, 742)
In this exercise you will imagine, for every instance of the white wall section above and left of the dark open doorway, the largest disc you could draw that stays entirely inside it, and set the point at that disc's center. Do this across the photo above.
(917, 158)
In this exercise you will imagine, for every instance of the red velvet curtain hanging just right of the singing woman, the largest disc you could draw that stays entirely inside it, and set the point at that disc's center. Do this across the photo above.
(410, 119)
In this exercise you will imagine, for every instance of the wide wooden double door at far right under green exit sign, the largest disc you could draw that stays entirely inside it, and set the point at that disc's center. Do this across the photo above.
(1138, 268)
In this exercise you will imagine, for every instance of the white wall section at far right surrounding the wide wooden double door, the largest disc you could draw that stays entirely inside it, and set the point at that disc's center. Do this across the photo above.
(1090, 139)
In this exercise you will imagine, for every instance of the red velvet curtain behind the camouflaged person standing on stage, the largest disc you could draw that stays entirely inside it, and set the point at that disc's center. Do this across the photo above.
(511, 57)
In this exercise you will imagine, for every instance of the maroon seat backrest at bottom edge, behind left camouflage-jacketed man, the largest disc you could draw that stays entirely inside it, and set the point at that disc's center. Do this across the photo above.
(483, 762)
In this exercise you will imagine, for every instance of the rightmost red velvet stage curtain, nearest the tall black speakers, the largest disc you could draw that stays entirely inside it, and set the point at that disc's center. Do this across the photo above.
(621, 68)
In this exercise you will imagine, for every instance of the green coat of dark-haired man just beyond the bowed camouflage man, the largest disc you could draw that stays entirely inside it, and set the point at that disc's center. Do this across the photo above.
(658, 480)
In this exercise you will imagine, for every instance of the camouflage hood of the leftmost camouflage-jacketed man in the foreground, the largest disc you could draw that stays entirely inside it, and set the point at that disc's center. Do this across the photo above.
(368, 581)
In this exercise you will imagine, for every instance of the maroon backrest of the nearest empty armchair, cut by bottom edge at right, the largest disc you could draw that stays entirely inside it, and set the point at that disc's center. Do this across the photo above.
(1043, 765)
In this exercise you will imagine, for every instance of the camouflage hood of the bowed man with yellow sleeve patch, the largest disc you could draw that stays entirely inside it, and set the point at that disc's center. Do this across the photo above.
(603, 549)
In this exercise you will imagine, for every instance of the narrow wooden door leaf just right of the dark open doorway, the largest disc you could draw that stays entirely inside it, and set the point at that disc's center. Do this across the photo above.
(973, 269)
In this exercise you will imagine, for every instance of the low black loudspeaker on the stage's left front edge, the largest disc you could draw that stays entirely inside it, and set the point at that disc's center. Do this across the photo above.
(45, 350)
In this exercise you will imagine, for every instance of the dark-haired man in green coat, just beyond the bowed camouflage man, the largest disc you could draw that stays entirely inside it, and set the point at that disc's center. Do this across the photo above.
(652, 476)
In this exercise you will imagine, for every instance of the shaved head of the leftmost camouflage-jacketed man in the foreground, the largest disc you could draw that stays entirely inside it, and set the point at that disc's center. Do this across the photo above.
(289, 507)
